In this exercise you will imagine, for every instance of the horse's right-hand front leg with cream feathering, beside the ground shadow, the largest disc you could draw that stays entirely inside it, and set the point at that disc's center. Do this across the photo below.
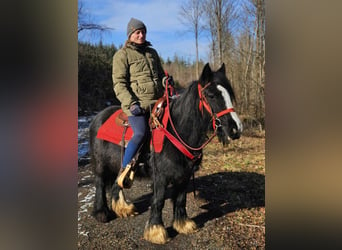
(181, 222)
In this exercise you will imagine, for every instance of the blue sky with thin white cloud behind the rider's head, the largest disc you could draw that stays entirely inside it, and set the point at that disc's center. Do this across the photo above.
(161, 17)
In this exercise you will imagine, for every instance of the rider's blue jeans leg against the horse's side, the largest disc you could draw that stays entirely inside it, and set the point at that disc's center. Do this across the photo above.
(140, 130)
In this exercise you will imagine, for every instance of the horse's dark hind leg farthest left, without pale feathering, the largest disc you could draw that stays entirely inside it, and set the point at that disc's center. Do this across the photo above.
(101, 211)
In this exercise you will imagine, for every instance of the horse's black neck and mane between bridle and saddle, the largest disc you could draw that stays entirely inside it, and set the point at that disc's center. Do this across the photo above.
(188, 120)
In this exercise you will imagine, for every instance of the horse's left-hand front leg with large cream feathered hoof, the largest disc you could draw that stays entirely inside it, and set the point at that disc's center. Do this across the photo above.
(154, 230)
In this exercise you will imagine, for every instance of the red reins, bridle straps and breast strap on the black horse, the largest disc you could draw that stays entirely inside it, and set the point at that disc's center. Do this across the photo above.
(180, 144)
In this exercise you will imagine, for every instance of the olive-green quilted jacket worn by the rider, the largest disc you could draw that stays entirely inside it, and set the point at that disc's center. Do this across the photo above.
(137, 75)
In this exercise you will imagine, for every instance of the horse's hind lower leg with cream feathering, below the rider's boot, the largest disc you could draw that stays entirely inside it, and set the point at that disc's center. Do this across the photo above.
(119, 204)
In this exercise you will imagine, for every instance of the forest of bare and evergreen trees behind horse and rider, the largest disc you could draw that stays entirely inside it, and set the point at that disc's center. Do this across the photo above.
(236, 31)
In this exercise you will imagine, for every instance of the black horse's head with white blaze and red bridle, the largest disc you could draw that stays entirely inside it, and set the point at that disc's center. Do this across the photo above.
(216, 91)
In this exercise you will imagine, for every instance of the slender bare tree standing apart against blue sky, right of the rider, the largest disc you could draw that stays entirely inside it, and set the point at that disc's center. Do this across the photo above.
(190, 14)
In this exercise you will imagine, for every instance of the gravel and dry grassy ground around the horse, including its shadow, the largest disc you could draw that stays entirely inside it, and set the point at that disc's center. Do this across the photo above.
(229, 206)
